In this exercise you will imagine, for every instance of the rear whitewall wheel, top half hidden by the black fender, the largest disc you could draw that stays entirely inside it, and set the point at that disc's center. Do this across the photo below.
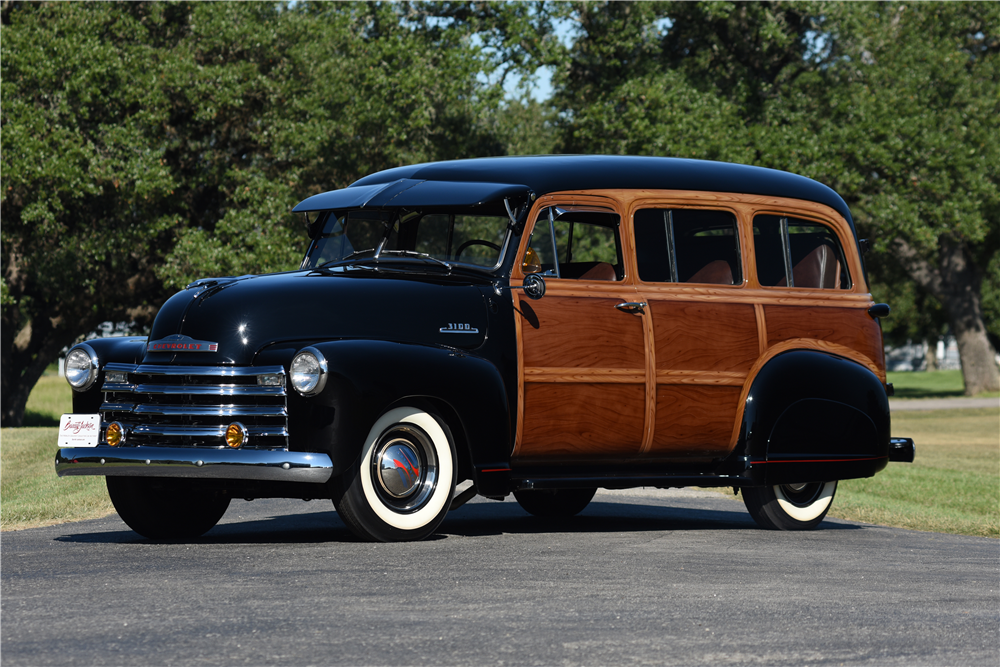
(789, 506)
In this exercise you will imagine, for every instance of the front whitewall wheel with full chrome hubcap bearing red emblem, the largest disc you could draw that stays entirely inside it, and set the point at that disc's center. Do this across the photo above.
(402, 485)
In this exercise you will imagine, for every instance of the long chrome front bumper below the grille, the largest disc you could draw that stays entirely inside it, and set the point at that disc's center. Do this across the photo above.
(274, 465)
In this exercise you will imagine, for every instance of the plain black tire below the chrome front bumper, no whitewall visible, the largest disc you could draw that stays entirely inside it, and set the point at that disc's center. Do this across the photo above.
(165, 508)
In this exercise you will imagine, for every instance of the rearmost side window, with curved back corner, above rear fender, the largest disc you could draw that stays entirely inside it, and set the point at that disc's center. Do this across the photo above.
(791, 252)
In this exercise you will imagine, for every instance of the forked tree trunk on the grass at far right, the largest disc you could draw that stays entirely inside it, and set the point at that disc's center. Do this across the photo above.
(955, 282)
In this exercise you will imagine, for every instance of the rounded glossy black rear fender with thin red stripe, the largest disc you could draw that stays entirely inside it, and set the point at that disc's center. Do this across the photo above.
(812, 416)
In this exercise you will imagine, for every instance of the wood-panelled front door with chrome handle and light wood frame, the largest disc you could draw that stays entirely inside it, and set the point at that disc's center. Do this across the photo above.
(584, 381)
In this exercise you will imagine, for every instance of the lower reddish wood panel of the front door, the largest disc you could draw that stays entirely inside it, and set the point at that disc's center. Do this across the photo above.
(572, 422)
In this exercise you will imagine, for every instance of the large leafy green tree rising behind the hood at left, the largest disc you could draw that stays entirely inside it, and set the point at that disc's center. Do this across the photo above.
(145, 145)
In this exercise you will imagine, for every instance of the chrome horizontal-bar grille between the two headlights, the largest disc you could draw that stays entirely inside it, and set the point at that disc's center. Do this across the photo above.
(191, 406)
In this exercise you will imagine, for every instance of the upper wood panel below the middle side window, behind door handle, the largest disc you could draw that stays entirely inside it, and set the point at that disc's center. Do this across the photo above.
(705, 336)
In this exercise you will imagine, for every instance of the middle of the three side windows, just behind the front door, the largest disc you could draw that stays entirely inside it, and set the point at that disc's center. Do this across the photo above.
(687, 246)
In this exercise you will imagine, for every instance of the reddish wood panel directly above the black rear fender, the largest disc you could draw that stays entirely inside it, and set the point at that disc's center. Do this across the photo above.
(849, 327)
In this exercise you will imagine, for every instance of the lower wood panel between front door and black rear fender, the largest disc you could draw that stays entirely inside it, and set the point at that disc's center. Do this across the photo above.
(694, 422)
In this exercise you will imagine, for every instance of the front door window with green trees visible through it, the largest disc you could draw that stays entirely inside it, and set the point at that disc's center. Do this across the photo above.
(575, 243)
